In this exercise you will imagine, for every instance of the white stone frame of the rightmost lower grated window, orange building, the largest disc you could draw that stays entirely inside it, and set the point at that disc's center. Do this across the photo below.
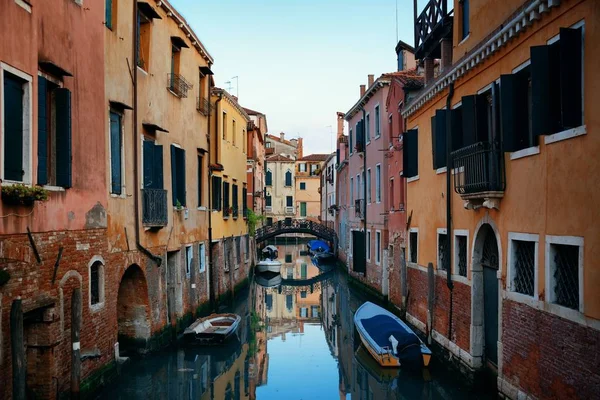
(555, 308)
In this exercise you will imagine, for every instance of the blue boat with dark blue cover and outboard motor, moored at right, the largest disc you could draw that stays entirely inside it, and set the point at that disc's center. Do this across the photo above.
(389, 340)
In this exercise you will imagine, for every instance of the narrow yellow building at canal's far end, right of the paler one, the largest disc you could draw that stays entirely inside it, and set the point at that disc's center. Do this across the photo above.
(308, 184)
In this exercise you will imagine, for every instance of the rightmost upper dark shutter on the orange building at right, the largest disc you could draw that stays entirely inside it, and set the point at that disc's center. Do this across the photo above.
(570, 77)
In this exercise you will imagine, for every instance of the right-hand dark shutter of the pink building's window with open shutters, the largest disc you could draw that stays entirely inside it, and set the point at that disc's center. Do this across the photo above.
(63, 137)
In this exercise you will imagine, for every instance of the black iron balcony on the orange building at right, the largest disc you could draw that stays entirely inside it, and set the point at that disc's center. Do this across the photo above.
(480, 177)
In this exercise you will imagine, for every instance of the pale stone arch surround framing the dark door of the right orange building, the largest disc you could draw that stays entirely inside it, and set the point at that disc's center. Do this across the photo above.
(486, 234)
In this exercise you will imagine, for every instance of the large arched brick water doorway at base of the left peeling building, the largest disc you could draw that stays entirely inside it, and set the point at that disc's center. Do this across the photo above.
(133, 313)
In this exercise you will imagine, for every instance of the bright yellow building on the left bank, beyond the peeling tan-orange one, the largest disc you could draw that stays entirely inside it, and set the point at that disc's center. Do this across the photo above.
(230, 247)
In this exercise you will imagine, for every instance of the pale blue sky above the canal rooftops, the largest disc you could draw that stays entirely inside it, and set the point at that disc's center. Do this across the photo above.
(299, 61)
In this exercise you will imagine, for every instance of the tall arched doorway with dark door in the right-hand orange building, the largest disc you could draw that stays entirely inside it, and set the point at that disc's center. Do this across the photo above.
(485, 308)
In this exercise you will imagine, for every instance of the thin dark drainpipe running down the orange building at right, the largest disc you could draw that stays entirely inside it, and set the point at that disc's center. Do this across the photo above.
(449, 164)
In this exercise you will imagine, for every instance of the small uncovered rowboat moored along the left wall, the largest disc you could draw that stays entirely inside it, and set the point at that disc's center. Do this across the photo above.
(215, 328)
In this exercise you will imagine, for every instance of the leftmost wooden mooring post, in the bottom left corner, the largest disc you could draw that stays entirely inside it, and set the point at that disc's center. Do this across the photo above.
(17, 347)
